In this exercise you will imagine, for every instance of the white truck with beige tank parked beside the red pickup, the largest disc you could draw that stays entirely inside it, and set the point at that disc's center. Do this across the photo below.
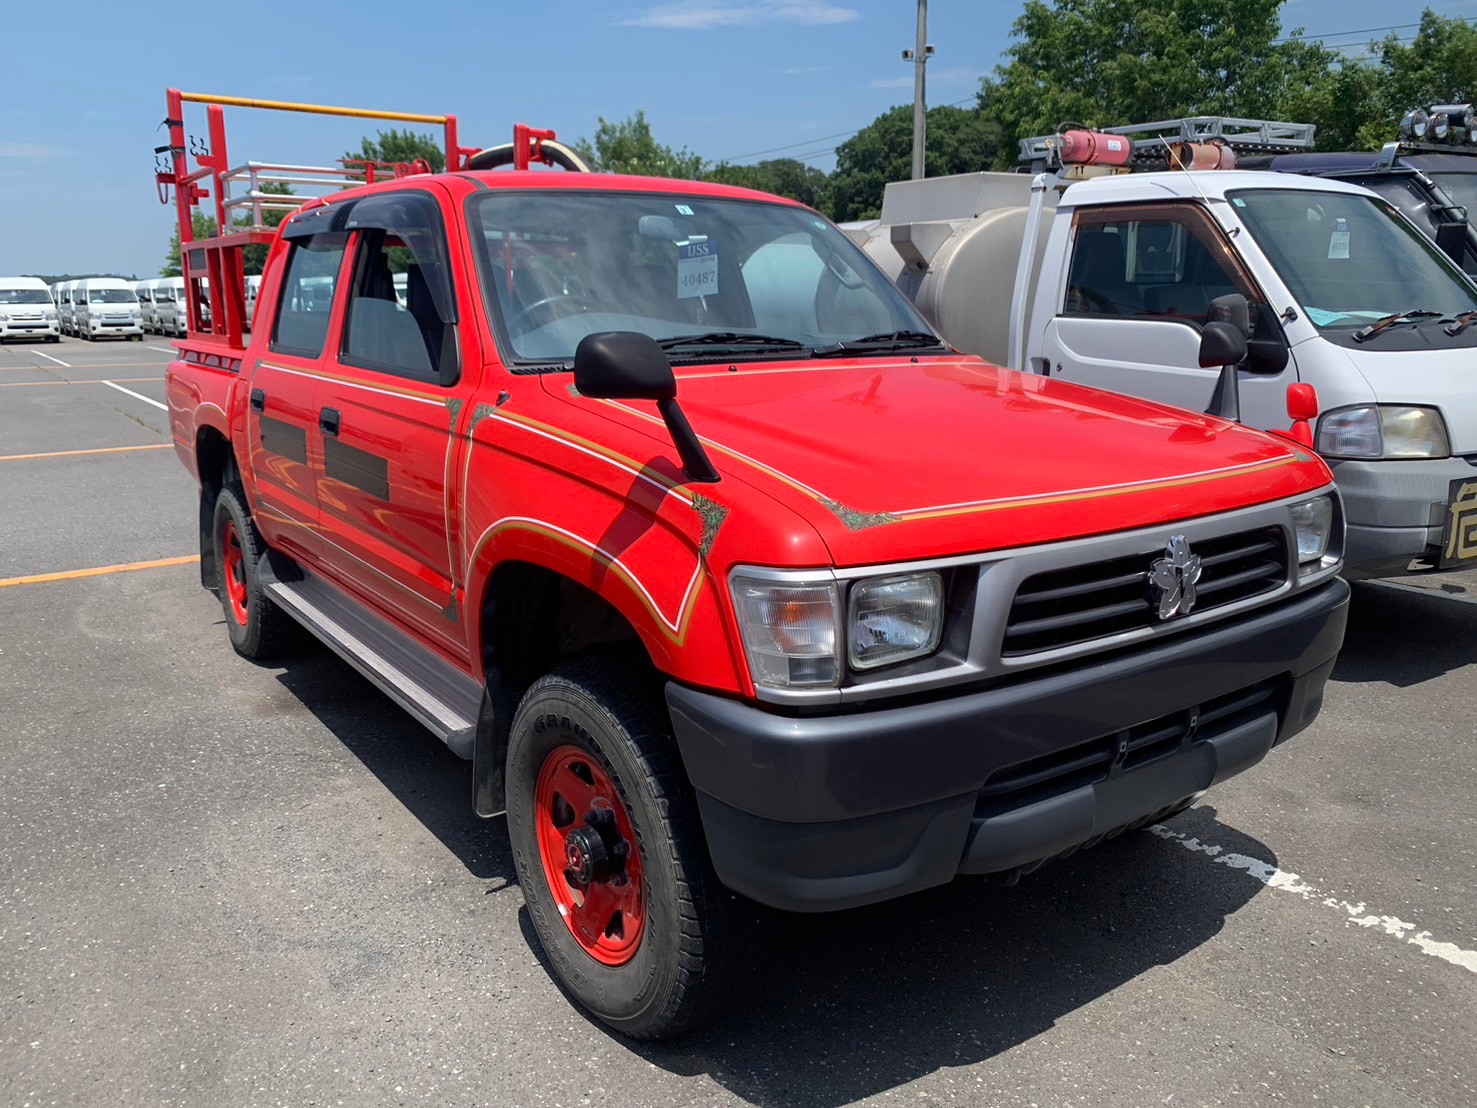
(1107, 281)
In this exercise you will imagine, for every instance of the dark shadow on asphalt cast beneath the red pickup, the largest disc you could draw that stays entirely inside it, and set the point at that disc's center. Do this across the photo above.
(856, 1004)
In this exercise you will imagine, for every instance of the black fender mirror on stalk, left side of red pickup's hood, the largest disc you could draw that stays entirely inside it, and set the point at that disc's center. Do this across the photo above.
(628, 366)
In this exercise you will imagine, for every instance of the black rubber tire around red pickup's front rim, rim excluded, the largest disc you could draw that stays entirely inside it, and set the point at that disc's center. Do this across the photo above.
(689, 948)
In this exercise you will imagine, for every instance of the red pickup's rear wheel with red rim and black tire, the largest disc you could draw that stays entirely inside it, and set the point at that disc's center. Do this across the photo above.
(258, 627)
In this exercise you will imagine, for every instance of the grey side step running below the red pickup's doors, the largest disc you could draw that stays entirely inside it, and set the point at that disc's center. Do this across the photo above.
(431, 689)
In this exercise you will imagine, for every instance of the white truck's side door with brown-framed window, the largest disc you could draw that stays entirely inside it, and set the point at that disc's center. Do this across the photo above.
(1137, 293)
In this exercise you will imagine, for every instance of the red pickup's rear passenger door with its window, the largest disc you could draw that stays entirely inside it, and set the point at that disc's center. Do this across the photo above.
(283, 407)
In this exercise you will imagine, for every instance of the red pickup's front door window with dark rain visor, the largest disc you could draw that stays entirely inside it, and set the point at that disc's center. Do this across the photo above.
(401, 318)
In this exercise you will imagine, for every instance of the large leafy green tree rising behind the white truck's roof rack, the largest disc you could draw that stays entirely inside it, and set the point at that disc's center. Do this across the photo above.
(1110, 63)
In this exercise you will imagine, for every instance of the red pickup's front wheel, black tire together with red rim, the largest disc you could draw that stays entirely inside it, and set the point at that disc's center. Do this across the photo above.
(611, 853)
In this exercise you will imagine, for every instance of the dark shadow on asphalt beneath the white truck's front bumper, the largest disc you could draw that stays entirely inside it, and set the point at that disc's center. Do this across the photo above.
(1404, 639)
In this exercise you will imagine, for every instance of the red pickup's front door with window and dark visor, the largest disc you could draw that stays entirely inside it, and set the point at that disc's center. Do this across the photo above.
(386, 416)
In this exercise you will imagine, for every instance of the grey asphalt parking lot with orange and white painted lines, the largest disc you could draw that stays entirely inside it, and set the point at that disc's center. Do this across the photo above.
(225, 884)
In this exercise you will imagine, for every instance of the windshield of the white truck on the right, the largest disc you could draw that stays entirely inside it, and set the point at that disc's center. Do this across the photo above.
(1351, 259)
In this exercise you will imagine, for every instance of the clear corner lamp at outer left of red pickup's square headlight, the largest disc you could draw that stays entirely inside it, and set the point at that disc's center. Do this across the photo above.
(791, 633)
